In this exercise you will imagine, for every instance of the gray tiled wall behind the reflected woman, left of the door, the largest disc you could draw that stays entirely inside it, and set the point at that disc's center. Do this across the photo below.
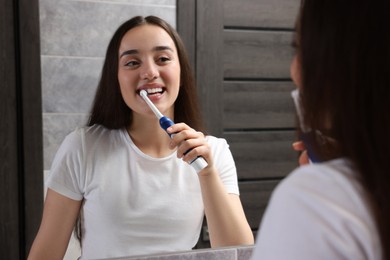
(74, 37)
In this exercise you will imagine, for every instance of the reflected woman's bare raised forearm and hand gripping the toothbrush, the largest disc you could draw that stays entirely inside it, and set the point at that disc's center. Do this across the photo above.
(225, 216)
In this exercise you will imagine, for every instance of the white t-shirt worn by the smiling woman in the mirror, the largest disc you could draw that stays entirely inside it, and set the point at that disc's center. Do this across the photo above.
(134, 204)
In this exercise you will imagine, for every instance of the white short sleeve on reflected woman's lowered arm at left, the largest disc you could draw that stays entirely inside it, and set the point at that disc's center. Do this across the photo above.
(67, 173)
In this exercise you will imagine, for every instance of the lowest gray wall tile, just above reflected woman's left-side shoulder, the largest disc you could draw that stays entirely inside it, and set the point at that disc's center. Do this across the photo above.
(55, 128)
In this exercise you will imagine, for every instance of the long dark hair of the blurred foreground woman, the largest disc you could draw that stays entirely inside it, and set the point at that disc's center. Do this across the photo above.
(344, 51)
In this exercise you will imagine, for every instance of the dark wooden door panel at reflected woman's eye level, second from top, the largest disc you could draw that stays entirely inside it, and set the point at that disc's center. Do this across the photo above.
(257, 54)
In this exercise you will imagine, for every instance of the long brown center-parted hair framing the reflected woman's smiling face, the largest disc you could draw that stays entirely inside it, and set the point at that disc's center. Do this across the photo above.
(109, 108)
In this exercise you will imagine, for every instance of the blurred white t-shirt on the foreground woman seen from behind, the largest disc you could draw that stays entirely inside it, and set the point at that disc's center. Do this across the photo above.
(318, 212)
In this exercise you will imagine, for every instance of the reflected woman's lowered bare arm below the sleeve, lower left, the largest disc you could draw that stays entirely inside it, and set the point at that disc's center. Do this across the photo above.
(58, 220)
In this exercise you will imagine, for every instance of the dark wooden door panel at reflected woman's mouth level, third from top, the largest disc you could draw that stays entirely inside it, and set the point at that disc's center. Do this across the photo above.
(257, 105)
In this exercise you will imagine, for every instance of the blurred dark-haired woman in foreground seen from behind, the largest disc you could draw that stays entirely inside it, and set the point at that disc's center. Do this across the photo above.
(338, 208)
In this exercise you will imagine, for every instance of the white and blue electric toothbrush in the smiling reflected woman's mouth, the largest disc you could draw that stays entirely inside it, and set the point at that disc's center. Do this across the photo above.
(199, 163)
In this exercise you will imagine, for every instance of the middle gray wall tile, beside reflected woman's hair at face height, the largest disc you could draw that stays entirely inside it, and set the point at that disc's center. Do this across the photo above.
(69, 84)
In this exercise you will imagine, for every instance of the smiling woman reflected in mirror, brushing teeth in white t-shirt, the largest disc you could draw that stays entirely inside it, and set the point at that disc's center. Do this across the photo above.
(129, 184)
